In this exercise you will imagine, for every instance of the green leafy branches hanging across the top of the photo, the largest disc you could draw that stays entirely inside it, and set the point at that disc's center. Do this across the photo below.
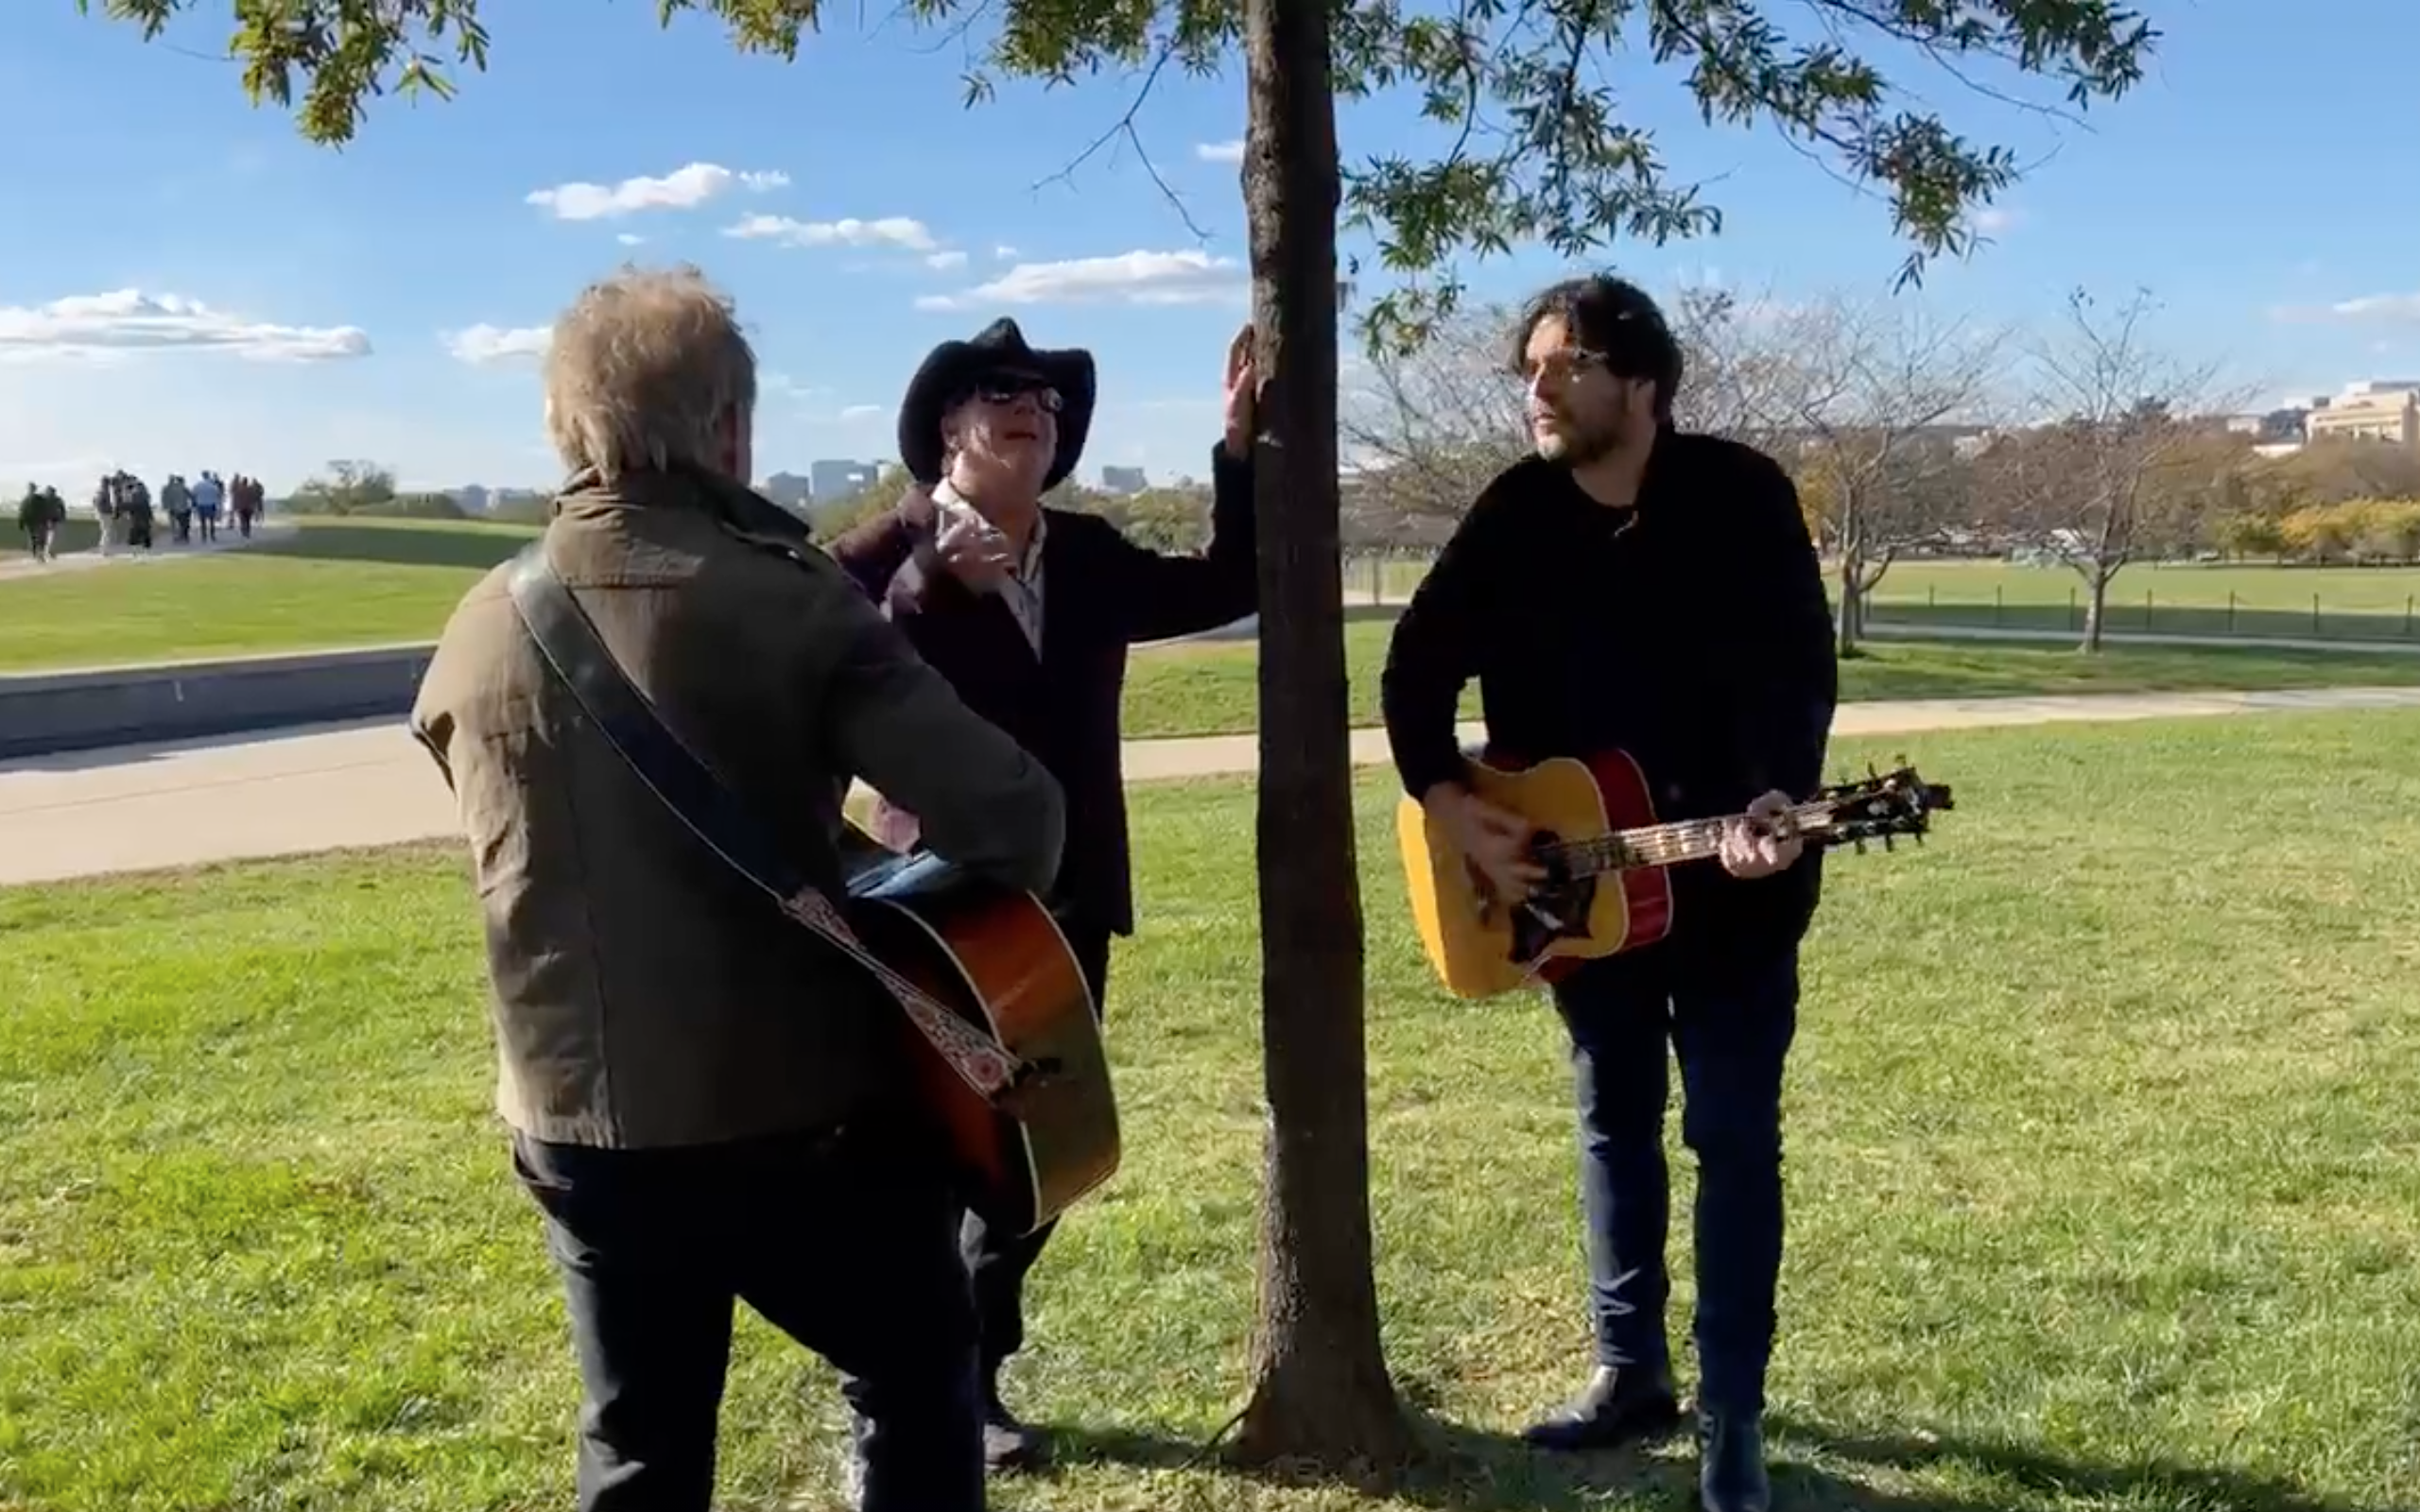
(1543, 151)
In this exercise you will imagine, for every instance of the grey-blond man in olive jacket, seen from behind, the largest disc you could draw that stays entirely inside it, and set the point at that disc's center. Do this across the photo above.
(708, 1102)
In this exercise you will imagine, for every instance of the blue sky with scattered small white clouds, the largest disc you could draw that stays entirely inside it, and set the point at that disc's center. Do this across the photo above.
(188, 284)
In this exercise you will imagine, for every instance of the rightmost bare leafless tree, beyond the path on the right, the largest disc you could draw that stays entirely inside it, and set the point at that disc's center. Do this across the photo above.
(2114, 466)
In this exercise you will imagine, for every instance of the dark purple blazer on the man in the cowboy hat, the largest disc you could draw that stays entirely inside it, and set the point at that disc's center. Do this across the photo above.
(1102, 594)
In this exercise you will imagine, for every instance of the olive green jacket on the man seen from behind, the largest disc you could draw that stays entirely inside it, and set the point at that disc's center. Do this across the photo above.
(643, 993)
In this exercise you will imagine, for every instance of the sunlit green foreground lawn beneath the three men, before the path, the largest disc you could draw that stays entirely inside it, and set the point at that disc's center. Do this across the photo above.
(2104, 1177)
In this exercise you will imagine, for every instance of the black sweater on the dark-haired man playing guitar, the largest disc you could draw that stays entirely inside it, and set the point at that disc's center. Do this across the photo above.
(1690, 633)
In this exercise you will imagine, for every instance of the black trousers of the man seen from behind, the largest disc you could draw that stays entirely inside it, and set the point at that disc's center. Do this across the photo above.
(846, 1242)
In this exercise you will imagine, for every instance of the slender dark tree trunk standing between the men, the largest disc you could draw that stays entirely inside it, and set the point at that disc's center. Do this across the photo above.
(1320, 1387)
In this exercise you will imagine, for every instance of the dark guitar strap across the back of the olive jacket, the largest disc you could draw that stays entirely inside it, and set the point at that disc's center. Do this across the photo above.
(715, 814)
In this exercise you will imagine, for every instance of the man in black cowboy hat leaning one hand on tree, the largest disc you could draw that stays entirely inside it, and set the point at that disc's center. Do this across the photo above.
(1030, 613)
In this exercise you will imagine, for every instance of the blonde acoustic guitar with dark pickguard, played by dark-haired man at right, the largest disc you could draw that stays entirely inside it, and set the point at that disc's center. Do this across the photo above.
(1608, 865)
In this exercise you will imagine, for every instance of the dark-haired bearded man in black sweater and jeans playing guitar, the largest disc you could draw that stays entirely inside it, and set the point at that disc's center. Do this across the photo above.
(1654, 591)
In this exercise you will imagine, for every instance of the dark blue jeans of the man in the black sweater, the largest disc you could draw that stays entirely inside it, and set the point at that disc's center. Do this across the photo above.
(1729, 1025)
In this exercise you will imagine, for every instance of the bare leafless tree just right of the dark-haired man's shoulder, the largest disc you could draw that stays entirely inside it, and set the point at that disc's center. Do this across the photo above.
(1869, 400)
